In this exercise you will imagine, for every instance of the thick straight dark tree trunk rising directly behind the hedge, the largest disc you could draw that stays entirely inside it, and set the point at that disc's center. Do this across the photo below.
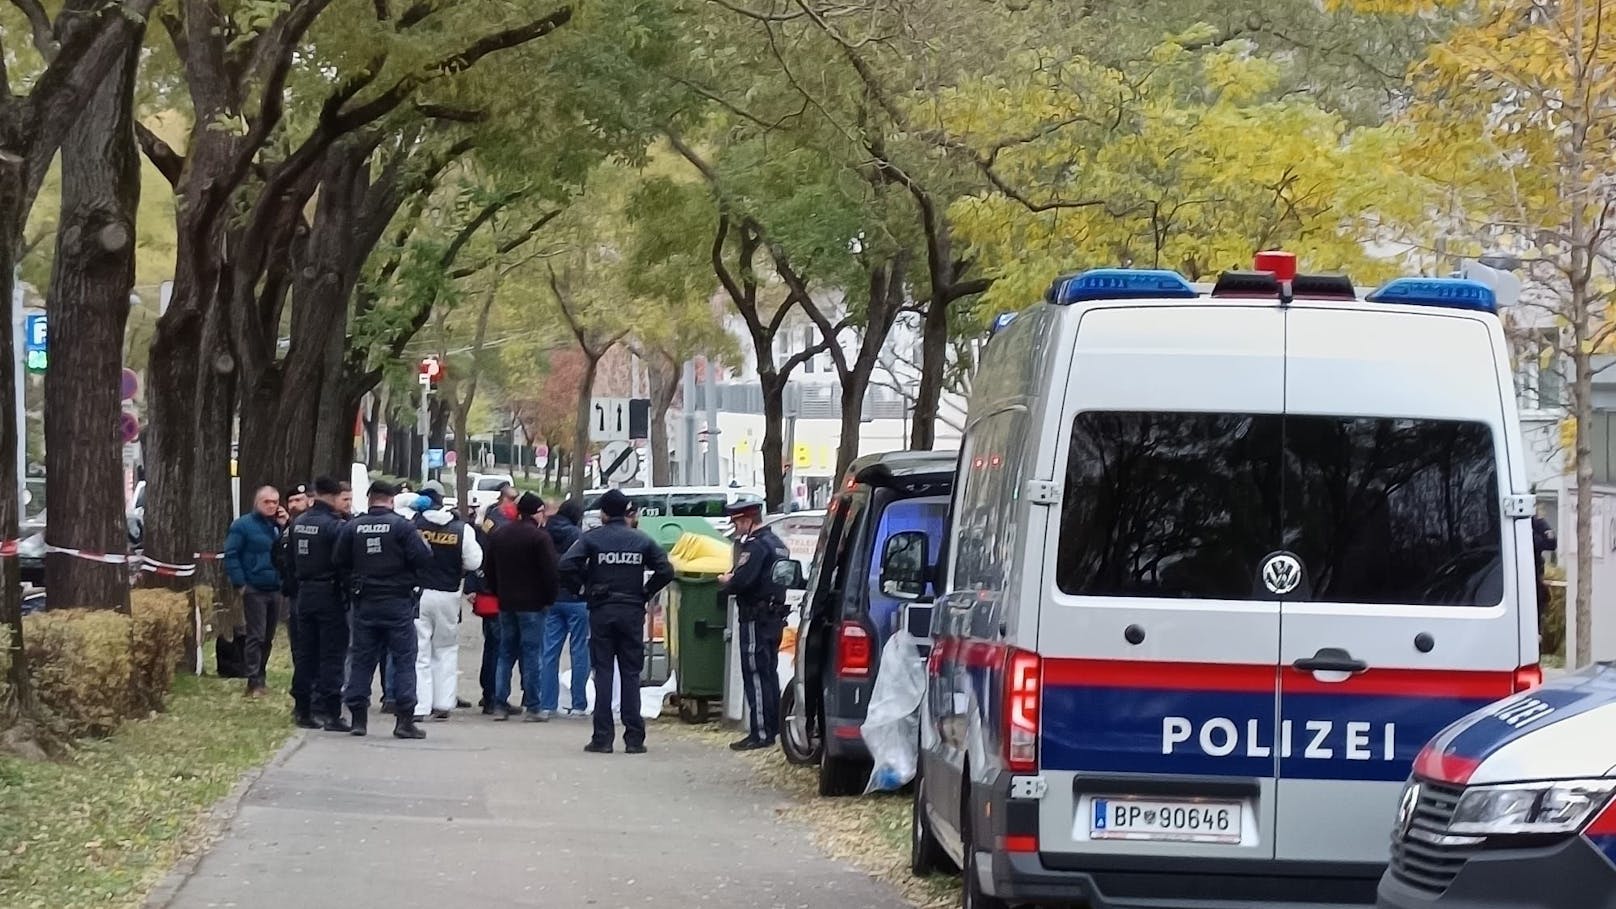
(90, 308)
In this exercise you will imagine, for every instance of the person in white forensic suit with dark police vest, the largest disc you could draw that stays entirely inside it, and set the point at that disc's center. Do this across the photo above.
(455, 552)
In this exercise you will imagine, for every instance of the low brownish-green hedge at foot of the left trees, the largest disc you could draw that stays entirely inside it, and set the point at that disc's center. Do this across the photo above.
(96, 669)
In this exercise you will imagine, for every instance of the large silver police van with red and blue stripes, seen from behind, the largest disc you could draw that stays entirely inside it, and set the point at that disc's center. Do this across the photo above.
(1218, 567)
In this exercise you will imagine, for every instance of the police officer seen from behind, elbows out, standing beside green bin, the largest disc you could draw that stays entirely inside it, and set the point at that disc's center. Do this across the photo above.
(607, 567)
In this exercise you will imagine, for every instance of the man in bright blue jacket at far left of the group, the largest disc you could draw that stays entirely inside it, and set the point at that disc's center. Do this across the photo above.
(250, 560)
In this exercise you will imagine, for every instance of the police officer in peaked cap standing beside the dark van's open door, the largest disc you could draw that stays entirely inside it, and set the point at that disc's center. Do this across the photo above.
(760, 609)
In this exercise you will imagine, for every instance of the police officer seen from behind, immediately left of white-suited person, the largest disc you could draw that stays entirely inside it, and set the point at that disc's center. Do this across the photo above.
(384, 557)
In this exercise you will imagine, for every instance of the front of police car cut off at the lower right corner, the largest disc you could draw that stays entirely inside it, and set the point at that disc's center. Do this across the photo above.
(1512, 806)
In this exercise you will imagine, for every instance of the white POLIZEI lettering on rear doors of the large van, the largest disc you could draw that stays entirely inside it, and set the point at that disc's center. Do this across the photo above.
(1311, 740)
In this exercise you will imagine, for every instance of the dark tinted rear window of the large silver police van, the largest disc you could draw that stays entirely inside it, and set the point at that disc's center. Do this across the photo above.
(1190, 505)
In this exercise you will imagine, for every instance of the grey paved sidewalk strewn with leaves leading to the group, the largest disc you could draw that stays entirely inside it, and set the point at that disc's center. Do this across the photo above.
(513, 814)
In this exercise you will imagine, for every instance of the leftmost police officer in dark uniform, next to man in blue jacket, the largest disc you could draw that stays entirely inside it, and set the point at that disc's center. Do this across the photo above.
(321, 645)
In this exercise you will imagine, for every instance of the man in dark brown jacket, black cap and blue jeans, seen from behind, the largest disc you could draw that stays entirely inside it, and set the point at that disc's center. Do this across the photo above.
(521, 572)
